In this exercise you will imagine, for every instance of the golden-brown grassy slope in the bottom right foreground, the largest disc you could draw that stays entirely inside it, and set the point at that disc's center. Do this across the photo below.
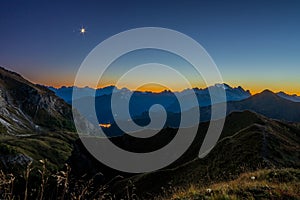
(264, 184)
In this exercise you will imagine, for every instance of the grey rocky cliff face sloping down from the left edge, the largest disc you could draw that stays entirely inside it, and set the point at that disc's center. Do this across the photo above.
(26, 108)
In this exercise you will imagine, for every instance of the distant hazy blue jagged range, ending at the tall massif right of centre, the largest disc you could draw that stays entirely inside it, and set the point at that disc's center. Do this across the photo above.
(140, 102)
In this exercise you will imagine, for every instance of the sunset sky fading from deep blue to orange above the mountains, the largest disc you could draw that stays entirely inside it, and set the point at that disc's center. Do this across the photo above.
(255, 44)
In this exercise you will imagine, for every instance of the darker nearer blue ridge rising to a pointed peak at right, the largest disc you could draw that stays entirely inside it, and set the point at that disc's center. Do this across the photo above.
(265, 103)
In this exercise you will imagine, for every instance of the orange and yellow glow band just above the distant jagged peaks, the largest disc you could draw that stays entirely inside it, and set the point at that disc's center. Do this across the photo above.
(254, 86)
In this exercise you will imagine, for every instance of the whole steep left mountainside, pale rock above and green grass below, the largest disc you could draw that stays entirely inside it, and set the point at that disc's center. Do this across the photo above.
(34, 123)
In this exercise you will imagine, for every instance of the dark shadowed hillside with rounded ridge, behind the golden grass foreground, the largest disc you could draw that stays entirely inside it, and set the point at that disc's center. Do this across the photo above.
(248, 142)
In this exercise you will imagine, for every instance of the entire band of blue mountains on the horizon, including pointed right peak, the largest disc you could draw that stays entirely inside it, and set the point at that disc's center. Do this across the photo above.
(266, 103)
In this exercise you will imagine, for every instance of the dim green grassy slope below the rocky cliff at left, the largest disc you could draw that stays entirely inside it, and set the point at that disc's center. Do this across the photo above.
(56, 147)
